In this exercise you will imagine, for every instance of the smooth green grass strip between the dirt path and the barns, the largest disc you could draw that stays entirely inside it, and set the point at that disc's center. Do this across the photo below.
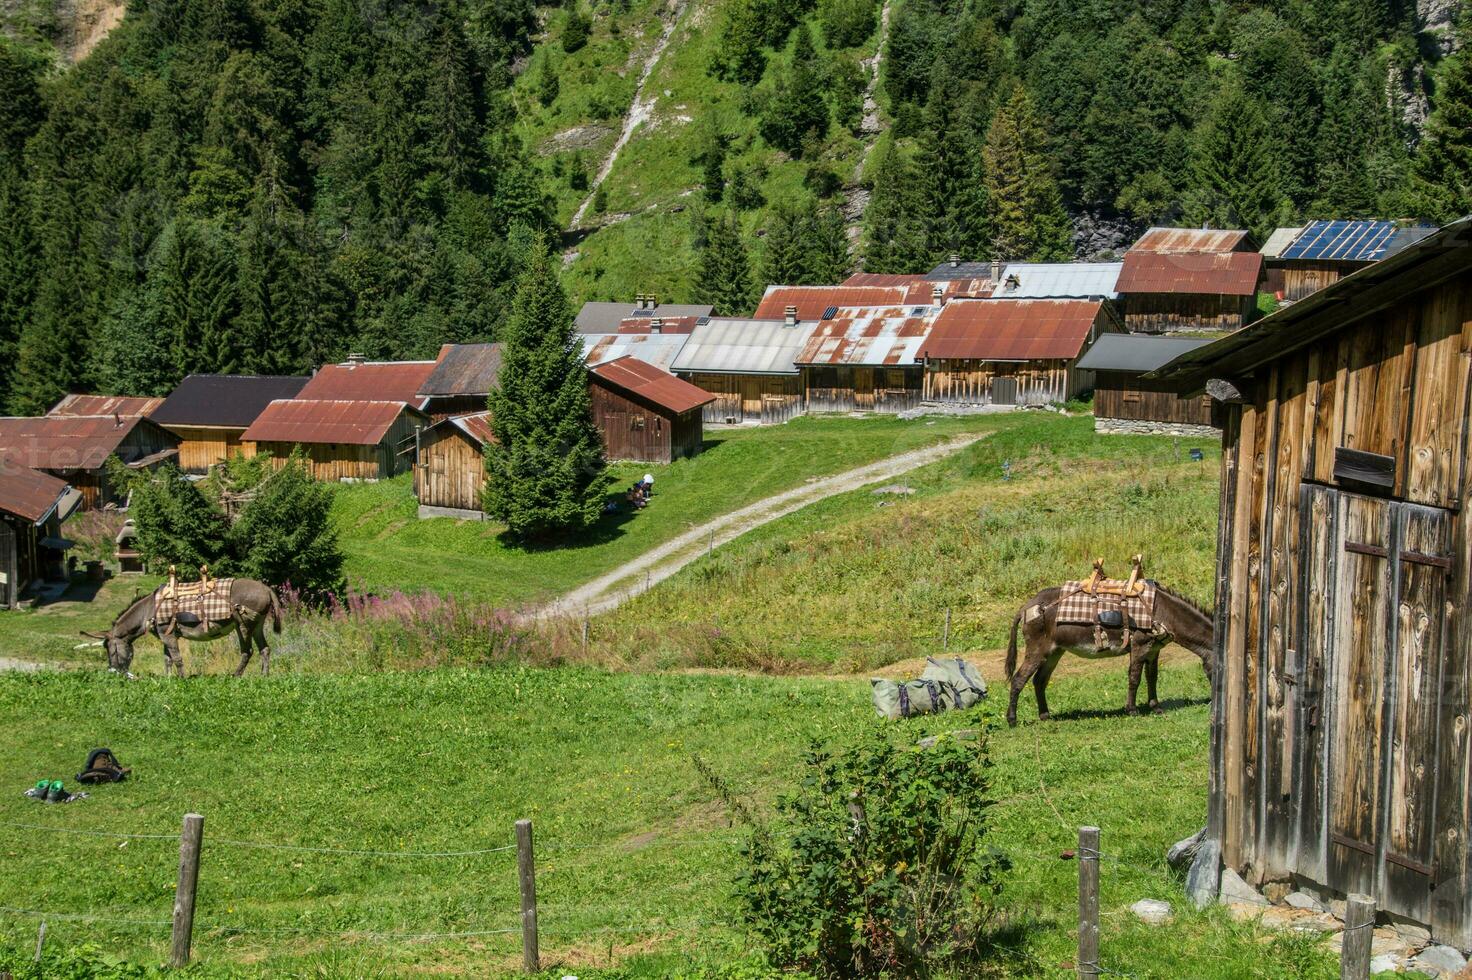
(388, 548)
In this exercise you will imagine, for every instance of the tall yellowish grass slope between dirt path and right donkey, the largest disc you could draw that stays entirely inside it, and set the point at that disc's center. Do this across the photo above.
(865, 579)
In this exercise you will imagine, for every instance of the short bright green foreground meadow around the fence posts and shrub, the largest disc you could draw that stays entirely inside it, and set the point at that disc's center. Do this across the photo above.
(635, 854)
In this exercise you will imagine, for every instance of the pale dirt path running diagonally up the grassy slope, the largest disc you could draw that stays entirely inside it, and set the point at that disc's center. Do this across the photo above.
(659, 564)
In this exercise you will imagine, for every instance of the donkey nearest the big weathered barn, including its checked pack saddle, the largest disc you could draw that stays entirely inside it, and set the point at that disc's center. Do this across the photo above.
(1100, 617)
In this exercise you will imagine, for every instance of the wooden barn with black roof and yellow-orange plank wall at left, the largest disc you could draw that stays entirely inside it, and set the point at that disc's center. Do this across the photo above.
(210, 414)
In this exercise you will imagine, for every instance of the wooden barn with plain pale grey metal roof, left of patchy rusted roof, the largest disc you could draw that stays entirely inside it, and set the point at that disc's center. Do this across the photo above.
(749, 366)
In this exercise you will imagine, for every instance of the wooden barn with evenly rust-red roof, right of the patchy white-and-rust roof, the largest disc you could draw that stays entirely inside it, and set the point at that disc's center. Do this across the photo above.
(1012, 352)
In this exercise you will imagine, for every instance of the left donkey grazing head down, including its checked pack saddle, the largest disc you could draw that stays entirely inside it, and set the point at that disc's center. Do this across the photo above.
(204, 610)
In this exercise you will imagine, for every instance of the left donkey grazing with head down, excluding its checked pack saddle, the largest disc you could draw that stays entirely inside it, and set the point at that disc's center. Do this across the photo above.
(251, 604)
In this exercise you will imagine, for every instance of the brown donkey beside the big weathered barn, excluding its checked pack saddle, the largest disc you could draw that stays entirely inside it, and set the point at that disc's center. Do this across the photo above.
(1177, 620)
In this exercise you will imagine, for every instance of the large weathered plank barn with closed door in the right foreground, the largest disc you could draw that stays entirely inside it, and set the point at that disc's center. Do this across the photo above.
(1343, 685)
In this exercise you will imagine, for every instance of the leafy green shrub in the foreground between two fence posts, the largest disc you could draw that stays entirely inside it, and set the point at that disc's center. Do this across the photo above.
(878, 866)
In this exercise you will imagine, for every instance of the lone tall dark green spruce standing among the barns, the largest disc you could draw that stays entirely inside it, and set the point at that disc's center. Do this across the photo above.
(545, 475)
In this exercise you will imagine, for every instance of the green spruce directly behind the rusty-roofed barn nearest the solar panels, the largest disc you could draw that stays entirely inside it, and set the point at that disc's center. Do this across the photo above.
(1236, 176)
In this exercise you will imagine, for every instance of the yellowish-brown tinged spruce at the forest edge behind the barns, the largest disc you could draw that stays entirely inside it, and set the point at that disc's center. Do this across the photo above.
(1024, 205)
